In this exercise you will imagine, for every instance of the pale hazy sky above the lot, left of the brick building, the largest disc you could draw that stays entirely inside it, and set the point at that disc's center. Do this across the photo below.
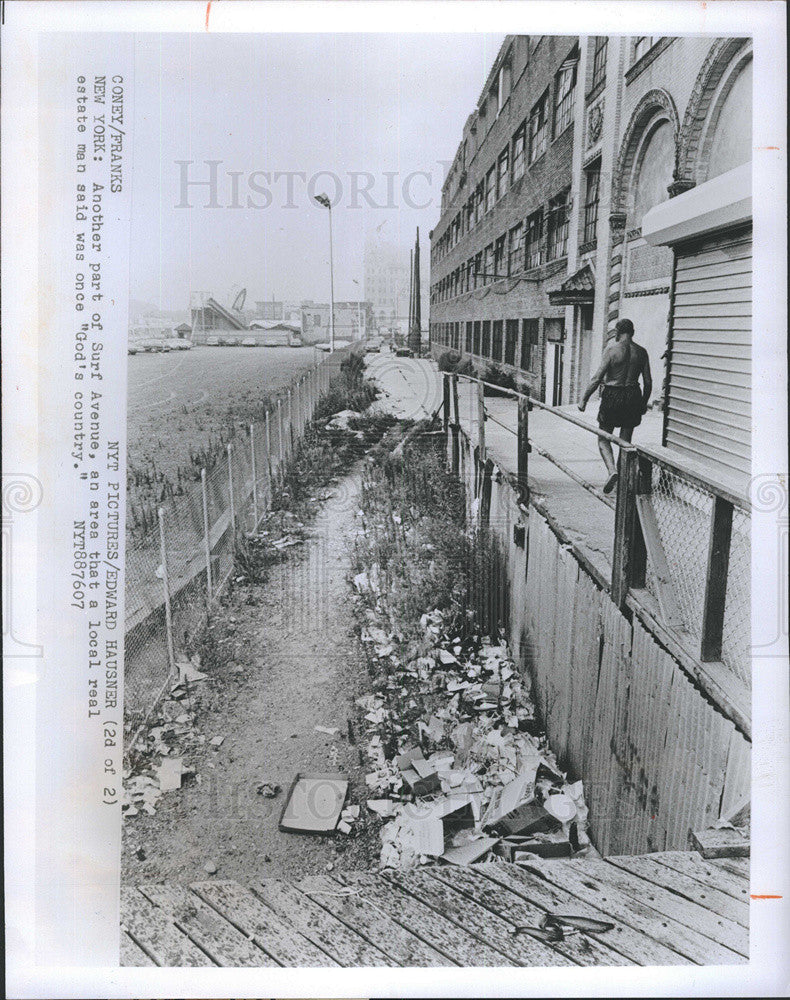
(385, 105)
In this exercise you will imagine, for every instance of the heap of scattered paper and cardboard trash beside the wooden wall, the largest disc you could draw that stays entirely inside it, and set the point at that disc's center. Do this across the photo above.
(476, 779)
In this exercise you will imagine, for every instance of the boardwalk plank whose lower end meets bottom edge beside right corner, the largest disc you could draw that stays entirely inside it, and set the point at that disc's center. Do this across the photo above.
(635, 911)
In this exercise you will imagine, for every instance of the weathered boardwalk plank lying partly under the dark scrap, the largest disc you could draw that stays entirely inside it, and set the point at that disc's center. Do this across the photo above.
(583, 949)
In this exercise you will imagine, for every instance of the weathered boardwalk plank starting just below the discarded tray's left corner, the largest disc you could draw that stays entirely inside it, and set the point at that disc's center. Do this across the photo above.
(315, 923)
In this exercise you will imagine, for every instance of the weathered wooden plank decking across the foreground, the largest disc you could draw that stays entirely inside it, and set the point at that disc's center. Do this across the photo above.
(671, 908)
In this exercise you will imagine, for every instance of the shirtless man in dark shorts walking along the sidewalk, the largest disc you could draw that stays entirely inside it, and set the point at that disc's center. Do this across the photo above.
(622, 401)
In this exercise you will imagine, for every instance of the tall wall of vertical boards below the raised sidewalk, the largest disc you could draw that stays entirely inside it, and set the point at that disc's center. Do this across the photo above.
(657, 757)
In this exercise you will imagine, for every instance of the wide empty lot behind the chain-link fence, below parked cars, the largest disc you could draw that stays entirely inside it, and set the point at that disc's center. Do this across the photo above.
(185, 402)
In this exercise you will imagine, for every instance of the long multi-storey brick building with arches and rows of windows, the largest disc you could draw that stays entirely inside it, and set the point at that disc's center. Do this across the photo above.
(540, 246)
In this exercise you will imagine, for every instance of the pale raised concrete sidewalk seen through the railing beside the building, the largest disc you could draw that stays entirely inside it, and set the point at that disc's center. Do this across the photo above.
(413, 387)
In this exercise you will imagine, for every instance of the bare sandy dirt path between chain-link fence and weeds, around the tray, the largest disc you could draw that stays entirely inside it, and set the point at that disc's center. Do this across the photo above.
(301, 666)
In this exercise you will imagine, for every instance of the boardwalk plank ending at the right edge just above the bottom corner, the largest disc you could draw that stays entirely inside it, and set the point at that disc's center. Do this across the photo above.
(701, 920)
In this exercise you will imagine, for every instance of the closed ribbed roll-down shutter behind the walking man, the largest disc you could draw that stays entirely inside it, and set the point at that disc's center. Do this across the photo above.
(709, 386)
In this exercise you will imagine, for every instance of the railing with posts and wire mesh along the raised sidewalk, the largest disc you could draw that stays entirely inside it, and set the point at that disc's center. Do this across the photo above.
(679, 536)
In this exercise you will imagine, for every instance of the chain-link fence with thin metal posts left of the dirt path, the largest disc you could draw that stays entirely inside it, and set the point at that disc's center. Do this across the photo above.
(178, 562)
